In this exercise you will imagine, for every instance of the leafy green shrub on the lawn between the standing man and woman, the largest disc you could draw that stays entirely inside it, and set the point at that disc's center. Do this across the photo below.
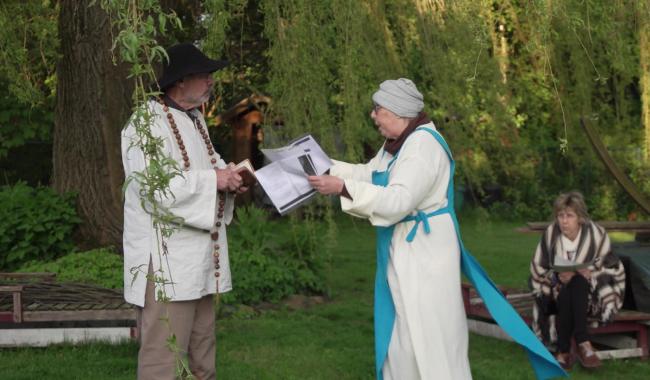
(270, 260)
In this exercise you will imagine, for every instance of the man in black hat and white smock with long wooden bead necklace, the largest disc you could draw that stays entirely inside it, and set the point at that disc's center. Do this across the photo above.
(189, 267)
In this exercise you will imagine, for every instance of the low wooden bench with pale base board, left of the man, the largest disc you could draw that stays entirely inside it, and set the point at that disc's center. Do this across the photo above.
(34, 306)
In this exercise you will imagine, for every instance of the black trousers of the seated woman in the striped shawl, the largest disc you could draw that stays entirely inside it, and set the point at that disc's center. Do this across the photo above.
(572, 313)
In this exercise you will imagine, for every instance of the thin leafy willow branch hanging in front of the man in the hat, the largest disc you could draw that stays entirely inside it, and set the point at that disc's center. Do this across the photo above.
(137, 24)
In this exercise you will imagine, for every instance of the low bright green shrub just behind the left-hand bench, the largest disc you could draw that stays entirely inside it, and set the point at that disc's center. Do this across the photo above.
(102, 266)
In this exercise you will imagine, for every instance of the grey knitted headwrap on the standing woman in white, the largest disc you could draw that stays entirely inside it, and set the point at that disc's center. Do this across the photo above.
(400, 96)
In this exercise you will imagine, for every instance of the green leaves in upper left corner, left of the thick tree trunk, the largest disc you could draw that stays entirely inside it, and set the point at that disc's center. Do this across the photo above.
(28, 51)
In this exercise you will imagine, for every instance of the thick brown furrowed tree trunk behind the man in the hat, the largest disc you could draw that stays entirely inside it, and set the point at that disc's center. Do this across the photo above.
(93, 103)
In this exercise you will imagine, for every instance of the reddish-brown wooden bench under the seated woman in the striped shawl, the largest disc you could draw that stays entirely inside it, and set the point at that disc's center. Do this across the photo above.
(625, 322)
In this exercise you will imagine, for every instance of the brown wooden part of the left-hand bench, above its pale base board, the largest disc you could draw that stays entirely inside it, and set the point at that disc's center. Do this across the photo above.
(35, 297)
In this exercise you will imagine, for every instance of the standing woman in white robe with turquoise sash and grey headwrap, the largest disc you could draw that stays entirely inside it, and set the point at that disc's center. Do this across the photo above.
(420, 323)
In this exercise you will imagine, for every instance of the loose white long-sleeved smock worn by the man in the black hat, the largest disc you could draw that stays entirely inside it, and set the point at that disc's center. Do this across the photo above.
(189, 262)
